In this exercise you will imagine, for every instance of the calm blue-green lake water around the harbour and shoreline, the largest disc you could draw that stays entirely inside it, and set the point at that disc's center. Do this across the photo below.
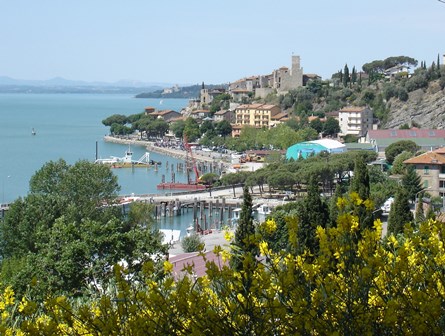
(68, 126)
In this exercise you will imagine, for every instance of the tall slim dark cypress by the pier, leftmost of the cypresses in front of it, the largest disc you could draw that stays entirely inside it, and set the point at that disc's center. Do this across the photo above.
(244, 235)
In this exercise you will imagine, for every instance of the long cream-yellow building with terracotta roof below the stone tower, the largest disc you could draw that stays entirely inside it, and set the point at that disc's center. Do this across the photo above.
(256, 115)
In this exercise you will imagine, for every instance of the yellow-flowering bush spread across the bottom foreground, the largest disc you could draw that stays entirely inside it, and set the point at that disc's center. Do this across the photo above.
(356, 283)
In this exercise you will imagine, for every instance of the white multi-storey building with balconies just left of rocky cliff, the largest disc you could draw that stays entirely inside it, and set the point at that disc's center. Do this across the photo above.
(355, 120)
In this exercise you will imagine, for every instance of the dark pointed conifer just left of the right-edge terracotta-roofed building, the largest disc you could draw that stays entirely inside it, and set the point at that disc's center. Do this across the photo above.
(400, 213)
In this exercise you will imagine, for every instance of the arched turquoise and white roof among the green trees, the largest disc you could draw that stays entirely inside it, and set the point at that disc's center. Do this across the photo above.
(309, 148)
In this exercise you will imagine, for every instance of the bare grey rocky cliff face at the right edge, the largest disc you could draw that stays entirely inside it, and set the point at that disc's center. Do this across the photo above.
(426, 107)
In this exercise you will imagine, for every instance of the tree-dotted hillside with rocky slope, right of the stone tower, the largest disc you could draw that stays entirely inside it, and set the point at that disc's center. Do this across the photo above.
(405, 99)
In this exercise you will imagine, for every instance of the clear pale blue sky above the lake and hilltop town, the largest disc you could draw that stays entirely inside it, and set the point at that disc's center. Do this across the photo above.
(190, 42)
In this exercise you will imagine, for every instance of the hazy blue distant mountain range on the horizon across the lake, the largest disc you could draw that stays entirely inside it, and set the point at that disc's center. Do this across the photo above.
(61, 85)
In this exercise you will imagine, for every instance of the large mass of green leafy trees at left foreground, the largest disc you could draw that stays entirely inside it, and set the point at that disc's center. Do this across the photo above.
(70, 226)
